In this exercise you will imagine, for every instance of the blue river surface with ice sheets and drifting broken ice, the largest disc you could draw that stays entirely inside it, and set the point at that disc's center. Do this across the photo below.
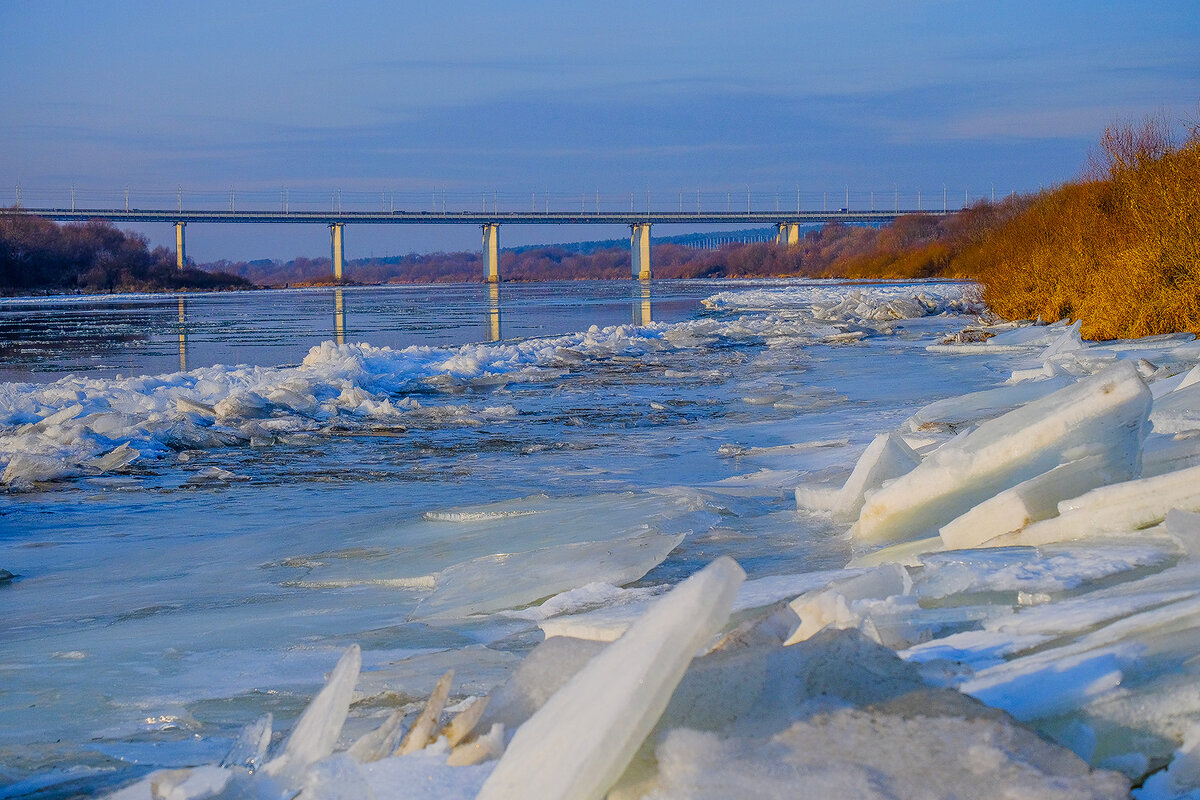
(197, 548)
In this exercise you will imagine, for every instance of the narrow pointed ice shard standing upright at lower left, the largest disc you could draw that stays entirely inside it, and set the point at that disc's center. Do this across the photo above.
(316, 732)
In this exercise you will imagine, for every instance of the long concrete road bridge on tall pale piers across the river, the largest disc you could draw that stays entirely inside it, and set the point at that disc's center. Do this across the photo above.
(789, 224)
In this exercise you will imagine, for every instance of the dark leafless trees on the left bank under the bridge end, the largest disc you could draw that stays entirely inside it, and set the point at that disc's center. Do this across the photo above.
(93, 257)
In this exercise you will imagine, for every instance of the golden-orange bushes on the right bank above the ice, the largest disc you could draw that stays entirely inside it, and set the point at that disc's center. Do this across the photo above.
(1119, 250)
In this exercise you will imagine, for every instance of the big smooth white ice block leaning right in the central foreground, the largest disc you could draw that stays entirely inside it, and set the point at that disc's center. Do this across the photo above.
(583, 739)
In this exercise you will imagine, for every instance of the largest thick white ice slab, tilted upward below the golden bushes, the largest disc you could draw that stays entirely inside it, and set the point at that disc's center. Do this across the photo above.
(1101, 416)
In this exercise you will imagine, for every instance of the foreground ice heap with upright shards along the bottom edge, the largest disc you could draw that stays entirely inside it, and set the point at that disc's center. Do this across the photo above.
(674, 708)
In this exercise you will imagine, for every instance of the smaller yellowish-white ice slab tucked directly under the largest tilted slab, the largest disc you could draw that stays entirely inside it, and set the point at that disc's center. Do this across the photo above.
(1029, 502)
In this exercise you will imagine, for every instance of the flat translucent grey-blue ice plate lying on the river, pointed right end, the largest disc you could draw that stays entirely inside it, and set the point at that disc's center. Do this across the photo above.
(513, 580)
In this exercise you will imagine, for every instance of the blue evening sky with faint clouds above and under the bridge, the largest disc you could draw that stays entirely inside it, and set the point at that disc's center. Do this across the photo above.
(407, 104)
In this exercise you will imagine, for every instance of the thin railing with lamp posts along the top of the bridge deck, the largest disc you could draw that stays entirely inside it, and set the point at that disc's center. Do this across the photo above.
(451, 201)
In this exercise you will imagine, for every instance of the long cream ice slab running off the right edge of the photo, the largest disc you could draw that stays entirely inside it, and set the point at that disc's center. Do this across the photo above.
(1117, 509)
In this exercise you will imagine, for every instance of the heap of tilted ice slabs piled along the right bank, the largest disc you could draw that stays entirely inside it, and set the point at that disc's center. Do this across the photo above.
(1077, 611)
